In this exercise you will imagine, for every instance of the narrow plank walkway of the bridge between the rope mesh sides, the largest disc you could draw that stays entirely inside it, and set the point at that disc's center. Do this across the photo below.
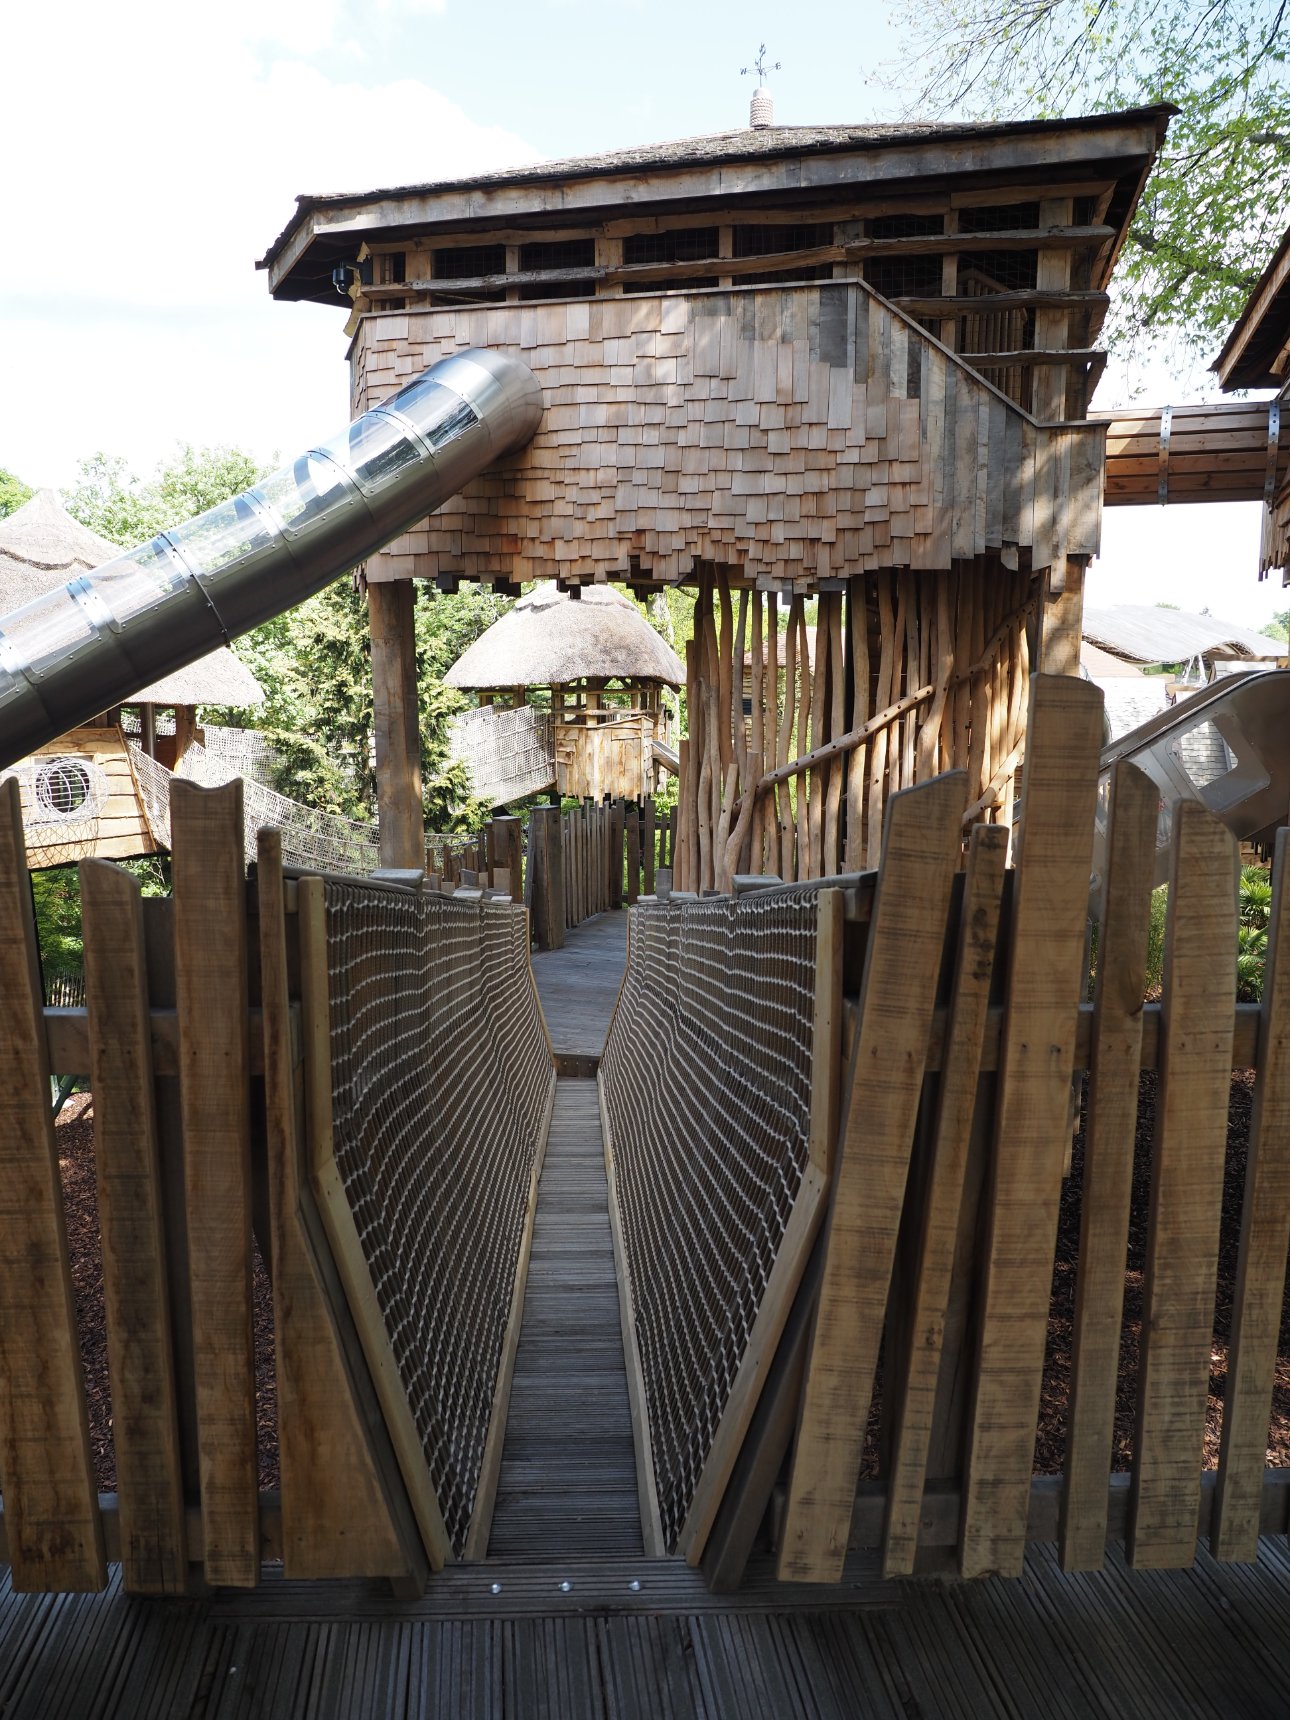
(568, 1482)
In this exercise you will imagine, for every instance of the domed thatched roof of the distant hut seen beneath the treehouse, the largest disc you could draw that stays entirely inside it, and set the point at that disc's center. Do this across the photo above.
(550, 639)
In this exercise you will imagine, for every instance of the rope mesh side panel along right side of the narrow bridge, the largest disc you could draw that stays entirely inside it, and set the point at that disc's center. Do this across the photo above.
(706, 1081)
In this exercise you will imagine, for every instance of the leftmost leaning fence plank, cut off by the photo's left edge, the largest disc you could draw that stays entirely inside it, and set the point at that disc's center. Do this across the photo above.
(56, 1537)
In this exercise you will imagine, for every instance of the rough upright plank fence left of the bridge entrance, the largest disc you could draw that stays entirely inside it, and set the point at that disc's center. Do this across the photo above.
(206, 1038)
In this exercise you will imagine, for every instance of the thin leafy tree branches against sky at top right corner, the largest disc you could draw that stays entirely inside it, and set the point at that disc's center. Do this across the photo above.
(1217, 202)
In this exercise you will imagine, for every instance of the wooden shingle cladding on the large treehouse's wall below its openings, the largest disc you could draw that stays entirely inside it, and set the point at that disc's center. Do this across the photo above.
(802, 434)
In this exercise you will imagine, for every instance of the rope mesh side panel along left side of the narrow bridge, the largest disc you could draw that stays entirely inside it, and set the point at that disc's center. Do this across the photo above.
(441, 1081)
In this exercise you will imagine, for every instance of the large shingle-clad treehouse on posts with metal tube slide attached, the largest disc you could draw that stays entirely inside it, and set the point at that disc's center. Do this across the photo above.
(785, 364)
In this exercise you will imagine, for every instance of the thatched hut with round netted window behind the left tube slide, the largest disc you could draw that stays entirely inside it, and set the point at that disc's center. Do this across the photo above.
(82, 795)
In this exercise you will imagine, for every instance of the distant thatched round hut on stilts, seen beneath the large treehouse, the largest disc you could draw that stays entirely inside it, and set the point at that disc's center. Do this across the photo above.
(570, 697)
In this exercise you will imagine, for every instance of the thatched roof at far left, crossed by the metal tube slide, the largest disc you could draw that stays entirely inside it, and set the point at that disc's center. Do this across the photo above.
(42, 548)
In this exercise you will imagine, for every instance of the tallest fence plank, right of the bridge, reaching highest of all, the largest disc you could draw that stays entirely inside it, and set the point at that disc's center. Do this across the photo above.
(1033, 1121)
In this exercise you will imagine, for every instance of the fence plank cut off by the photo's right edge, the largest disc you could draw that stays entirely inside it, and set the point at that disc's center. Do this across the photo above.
(1265, 1238)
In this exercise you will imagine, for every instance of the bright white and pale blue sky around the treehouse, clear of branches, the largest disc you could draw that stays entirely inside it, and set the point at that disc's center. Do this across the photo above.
(156, 149)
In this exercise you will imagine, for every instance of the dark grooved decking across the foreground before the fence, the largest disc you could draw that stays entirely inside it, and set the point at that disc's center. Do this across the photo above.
(500, 1642)
